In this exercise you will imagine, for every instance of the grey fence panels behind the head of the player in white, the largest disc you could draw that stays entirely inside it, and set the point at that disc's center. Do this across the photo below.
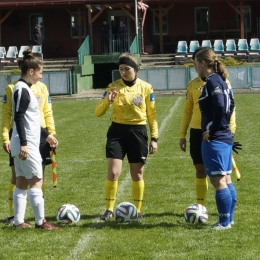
(58, 83)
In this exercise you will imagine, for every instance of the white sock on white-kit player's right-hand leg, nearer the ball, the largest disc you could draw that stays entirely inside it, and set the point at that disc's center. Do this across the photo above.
(37, 204)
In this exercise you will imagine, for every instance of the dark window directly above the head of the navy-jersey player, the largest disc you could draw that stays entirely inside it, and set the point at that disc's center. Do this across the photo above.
(201, 19)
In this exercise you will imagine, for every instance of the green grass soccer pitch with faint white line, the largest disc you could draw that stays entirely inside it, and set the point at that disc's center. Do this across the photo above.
(170, 188)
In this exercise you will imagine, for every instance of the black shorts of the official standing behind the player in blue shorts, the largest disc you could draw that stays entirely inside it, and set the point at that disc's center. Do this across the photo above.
(195, 145)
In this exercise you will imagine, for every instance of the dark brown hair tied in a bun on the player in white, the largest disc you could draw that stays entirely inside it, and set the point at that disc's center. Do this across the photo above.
(29, 61)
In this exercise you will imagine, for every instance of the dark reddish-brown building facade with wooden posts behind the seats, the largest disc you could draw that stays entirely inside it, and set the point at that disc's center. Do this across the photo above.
(162, 23)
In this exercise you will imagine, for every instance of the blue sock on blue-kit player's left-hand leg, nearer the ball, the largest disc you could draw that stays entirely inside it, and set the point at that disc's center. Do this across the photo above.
(224, 201)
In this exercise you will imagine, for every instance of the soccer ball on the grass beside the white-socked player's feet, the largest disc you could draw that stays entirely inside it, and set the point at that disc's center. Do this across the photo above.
(68, 213)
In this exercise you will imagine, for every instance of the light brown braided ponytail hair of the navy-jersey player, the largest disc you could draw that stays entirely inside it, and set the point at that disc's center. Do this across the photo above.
(212, 62)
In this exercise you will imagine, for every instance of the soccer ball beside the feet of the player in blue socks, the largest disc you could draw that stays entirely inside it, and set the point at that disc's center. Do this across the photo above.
(196, 213)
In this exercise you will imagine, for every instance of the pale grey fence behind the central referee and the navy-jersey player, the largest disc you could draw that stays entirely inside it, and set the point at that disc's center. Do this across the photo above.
(177, 78)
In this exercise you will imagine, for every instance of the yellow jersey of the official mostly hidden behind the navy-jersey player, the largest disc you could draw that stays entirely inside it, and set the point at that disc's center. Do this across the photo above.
(191, 116)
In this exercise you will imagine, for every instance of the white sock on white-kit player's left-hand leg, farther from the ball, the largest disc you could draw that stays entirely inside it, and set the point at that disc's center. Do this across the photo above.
(20, 201)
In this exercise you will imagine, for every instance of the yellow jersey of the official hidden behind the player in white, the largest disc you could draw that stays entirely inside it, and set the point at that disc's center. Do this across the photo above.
(46, 115)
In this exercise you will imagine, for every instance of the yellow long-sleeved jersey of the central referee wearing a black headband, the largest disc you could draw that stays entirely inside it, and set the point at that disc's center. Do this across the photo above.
(132, 106)
